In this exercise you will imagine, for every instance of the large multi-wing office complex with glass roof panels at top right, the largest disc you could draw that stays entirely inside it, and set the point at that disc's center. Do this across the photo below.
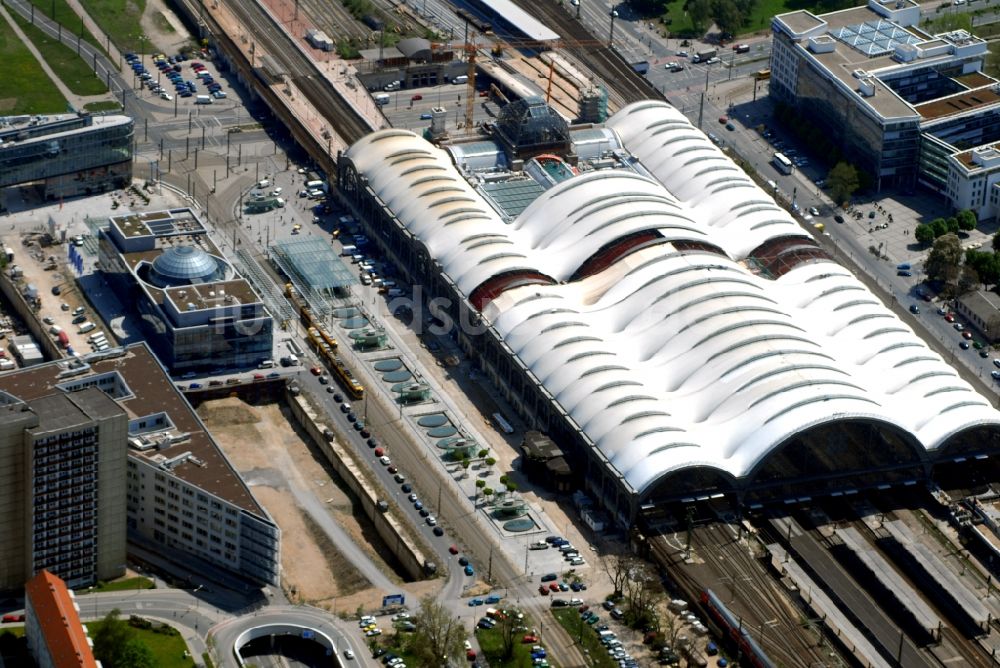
(900, 104)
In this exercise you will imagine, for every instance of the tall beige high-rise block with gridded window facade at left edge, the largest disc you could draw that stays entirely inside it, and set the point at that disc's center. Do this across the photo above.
(62, 484)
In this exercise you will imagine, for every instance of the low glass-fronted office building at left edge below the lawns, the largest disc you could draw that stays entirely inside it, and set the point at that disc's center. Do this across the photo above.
(66, 155)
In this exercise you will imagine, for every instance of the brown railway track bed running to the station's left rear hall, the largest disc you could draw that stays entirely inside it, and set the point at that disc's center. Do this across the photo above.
(339, 115)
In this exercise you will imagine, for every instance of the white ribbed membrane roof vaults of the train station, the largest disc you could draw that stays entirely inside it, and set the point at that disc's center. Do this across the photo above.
(671, 359)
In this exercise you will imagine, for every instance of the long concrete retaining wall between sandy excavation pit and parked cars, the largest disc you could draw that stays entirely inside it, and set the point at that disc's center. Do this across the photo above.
(388, 529)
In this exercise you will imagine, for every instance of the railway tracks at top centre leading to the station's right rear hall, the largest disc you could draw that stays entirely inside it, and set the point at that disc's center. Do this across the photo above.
(619, 77)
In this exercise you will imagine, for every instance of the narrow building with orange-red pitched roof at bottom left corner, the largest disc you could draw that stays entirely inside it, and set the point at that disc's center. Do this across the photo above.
(56, 637)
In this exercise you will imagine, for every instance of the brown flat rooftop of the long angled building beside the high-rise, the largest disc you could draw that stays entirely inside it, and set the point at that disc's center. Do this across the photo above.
(153, 392)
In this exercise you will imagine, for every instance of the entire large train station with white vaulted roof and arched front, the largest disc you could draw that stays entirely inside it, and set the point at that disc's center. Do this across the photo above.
(640, 300)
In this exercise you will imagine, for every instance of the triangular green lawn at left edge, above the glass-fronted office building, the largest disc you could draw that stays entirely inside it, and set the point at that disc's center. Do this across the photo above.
(24, 87)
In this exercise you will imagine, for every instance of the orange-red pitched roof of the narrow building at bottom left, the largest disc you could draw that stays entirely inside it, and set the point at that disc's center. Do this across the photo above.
(64, 634)
